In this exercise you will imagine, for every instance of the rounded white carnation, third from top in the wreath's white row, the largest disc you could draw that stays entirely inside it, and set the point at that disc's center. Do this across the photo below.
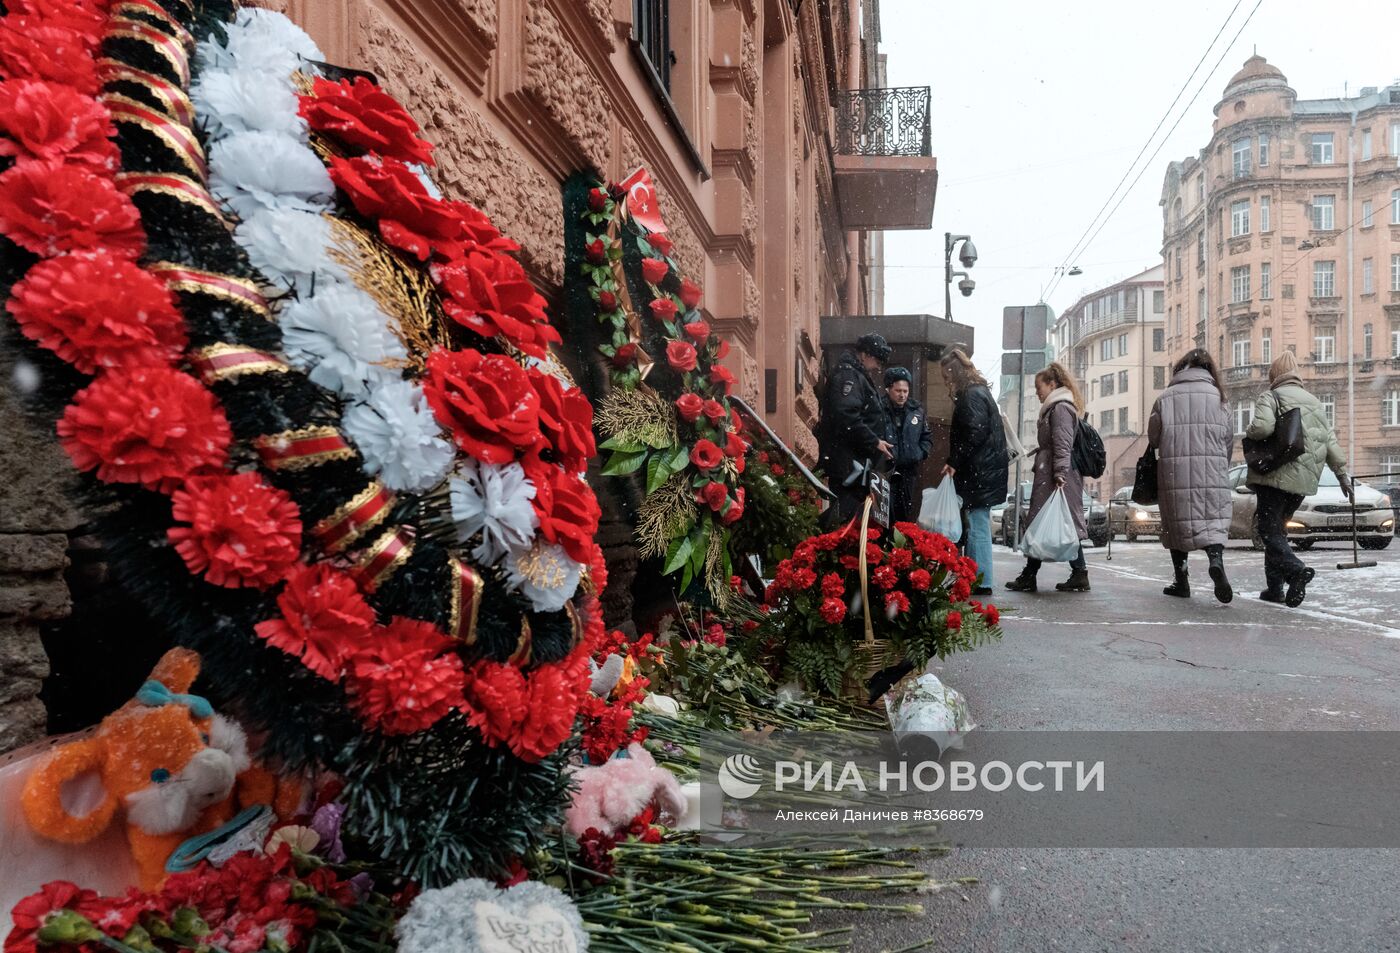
(253, 171)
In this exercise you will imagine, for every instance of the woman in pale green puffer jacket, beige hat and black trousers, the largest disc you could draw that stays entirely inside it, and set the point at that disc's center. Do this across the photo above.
(1280, 493)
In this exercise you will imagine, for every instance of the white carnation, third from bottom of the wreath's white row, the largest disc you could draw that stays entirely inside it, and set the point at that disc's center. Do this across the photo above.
(400, 437)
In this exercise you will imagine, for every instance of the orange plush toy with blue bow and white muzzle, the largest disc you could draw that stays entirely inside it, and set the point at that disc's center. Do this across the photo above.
(167, 758)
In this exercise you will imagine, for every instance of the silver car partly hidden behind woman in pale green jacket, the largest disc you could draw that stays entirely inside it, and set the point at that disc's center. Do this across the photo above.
(1324, 517)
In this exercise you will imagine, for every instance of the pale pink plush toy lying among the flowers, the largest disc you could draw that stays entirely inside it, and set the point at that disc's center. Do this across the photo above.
(610, 796)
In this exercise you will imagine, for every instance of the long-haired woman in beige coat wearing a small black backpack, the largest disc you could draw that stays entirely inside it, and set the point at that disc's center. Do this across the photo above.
(1056, 429)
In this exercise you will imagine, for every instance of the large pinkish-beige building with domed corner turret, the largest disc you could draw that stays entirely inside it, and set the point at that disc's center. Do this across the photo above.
(1284, 234)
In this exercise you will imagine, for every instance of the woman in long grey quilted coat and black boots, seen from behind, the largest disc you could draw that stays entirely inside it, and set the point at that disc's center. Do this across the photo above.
(1192, 432)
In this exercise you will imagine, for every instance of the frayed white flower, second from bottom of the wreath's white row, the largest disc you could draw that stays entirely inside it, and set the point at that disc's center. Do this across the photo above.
(495, 502)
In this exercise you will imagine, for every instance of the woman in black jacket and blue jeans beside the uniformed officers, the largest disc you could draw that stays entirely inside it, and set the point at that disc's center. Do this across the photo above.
(978, 457)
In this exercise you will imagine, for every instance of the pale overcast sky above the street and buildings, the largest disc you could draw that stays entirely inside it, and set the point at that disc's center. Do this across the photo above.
(1038, 110)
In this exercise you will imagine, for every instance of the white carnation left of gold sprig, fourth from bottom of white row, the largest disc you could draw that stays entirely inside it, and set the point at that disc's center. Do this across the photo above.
(342, 338)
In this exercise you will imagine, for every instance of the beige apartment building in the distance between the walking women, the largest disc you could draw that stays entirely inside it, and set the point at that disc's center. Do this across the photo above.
(1114, 341)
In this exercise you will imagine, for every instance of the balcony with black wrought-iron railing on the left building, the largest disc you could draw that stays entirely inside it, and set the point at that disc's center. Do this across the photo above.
(885, 173)
